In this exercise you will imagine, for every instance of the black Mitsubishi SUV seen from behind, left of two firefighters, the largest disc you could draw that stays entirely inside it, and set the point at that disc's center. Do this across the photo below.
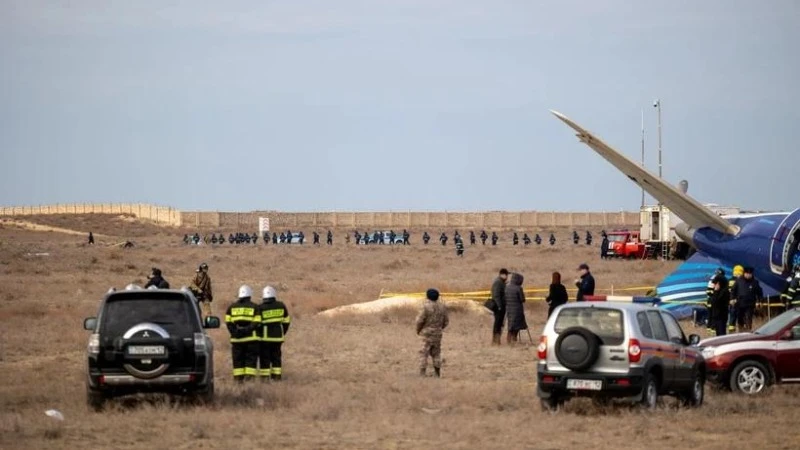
(149, 340)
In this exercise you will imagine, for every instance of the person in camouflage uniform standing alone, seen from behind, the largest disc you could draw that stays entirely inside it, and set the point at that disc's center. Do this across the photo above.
(430, 323)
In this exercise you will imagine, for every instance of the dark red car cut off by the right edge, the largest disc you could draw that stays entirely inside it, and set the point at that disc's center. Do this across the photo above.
(750, 362)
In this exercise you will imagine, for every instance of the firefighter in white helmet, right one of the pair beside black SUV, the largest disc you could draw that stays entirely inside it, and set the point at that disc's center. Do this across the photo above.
(275, 321)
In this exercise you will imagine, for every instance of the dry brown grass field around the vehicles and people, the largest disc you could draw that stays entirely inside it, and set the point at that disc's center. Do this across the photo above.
(350, 381)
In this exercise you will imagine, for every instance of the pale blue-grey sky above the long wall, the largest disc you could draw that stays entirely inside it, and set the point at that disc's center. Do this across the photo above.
(373, 105)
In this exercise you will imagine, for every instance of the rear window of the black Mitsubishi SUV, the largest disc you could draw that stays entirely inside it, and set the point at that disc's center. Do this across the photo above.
(173, 314)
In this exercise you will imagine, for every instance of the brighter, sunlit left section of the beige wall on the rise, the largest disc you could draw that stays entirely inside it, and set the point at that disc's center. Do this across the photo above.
(159, 214)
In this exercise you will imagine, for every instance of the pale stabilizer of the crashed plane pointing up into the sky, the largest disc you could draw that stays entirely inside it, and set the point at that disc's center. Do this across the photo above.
(688, 209)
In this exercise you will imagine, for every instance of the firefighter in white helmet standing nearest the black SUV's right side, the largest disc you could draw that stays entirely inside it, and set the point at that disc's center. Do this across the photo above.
(243, 322)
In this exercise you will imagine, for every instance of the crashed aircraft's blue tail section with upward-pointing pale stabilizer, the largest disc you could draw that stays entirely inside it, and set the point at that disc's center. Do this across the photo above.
(768, 242)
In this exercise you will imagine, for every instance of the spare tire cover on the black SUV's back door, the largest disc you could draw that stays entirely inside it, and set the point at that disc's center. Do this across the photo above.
(146, 366)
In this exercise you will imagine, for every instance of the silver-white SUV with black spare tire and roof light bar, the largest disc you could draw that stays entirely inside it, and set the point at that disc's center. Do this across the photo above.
(617, 350)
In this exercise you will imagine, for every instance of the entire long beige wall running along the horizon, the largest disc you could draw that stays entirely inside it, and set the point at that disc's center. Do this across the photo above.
(351, 220)
